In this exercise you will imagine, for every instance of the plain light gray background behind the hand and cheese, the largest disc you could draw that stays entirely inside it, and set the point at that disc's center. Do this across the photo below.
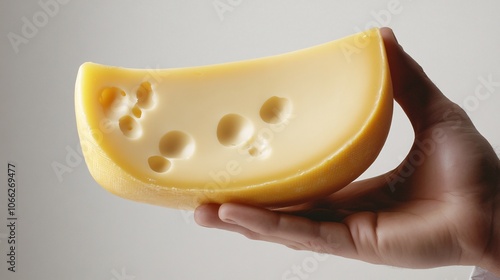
(70, 228)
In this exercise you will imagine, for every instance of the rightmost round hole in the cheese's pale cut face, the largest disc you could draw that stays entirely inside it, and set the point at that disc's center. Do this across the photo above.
(276, 110)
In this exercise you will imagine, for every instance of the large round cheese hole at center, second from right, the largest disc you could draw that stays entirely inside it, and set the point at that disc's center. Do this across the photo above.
(234, 130)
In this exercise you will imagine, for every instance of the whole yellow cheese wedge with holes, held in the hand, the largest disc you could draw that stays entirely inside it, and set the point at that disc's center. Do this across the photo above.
(272, 132)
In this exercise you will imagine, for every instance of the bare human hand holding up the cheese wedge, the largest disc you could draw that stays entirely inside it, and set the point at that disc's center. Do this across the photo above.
(440, 206)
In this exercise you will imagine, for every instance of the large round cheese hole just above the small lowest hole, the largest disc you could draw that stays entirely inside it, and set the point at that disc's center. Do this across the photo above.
(177, 144)
